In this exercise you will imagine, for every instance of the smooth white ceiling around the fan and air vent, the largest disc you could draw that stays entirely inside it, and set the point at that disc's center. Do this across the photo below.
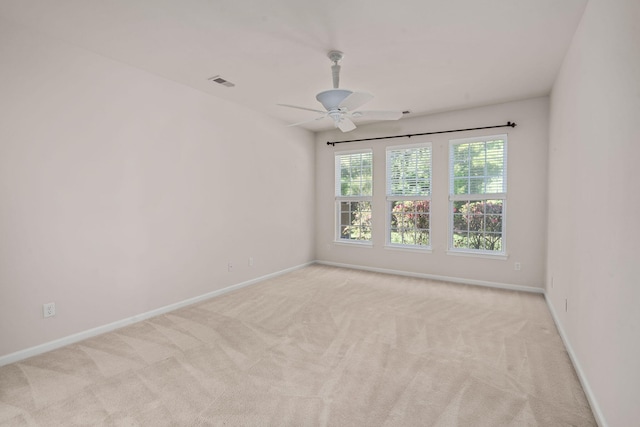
(424, 56)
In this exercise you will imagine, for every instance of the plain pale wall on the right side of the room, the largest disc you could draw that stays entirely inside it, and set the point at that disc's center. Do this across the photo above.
(594, 205)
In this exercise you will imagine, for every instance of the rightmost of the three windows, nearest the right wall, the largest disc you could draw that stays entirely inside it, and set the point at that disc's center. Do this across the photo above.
(477, 194)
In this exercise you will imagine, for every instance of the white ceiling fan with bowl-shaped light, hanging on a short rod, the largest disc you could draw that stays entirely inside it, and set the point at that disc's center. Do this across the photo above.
(342, 105)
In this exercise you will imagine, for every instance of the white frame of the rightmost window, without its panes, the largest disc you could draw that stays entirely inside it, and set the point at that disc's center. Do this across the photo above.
(479, 197)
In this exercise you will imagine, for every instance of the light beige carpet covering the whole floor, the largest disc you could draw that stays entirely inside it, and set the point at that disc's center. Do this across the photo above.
(320, 346)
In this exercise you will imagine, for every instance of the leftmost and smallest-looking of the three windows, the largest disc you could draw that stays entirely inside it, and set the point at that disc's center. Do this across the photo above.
(354, 190)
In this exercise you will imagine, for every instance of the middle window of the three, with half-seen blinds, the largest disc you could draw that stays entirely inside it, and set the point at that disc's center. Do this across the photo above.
(409, 195)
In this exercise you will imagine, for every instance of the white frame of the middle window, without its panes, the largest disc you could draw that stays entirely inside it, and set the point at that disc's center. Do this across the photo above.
(391, 198)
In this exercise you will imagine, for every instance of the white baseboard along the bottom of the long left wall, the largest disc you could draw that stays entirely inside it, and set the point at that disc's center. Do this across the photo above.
(74, 338)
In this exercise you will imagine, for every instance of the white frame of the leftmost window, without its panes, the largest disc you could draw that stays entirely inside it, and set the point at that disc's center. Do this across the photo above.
(339, 198)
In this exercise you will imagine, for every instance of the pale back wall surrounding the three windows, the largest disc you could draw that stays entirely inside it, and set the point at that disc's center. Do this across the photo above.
(526, 202)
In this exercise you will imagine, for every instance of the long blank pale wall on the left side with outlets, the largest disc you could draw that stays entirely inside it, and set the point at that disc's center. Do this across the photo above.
(122, 192)
